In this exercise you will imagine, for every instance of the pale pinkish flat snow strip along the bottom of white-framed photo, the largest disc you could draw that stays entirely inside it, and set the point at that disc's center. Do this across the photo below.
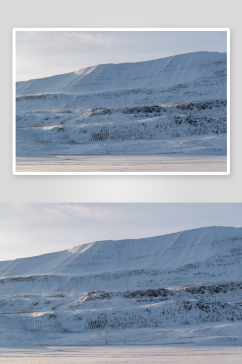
(132, 164)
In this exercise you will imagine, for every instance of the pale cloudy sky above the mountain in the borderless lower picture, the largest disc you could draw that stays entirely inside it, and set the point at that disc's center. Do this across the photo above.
(33, 229)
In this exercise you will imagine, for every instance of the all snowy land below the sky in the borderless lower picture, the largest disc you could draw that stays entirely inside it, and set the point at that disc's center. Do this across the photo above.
(181, 292)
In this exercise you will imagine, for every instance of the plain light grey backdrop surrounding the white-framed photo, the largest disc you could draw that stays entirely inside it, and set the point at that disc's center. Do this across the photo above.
(125, 13)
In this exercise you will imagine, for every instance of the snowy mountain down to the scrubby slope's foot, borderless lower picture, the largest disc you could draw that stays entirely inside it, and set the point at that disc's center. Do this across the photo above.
(186, 278)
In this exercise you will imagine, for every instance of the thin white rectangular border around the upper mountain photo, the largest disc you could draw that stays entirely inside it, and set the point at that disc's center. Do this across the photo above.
(116, 29)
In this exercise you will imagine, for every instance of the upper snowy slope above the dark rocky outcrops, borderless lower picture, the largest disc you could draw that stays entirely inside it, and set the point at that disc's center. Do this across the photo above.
(192, 256)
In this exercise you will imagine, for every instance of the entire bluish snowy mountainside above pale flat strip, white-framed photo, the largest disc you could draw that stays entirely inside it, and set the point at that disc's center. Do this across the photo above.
(170, 105)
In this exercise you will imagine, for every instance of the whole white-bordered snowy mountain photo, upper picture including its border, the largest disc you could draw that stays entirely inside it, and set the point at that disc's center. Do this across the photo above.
(121, 101)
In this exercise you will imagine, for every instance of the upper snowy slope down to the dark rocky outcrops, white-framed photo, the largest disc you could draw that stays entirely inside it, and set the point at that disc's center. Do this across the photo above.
(172, 79)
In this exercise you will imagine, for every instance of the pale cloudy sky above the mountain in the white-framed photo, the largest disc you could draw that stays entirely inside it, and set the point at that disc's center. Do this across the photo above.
(44, 53)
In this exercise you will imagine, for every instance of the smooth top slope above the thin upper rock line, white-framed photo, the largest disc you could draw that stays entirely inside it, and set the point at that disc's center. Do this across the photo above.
(161, 73)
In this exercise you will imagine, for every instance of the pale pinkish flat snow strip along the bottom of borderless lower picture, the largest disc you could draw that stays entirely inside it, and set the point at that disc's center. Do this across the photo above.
(121, 355)
